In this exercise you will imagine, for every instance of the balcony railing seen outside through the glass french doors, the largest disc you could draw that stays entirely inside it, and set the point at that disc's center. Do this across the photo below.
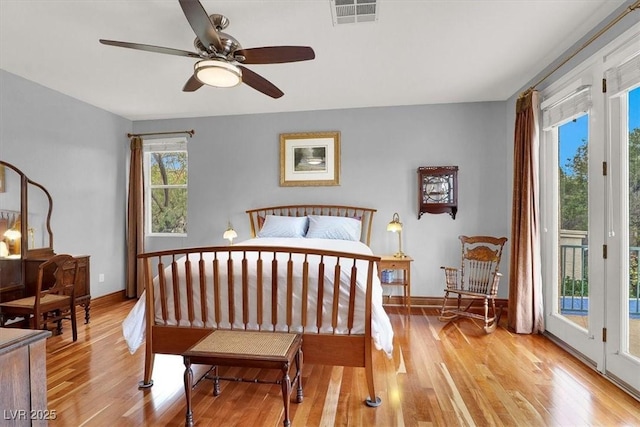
(574, 288)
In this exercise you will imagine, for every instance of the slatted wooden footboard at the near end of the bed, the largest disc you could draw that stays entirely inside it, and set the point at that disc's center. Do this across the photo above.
(325, 295)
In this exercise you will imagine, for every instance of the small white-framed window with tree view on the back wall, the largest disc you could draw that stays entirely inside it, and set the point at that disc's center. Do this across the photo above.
(166, 173)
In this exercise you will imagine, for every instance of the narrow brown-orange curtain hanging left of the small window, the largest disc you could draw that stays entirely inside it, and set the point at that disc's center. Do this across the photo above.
(135, 221)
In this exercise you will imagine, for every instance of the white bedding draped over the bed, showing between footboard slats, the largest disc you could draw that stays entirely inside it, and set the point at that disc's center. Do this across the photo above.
(134, 330)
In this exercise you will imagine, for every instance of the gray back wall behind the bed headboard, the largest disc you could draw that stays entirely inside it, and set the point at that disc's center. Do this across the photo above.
(234, 166)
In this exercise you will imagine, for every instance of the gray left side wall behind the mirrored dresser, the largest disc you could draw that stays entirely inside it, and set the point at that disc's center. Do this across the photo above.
(78, 152)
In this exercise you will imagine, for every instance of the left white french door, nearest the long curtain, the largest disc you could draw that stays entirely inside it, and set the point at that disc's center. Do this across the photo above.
(573, 219)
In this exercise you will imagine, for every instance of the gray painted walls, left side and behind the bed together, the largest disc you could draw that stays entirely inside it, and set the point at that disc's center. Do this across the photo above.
(80, 154)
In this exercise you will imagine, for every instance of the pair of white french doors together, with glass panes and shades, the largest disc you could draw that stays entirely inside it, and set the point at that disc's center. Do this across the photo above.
(590, 210)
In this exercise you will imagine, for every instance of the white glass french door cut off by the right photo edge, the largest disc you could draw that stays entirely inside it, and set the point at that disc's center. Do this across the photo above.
(623, 281)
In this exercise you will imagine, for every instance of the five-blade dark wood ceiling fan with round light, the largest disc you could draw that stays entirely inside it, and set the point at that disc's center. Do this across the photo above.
(221, 57)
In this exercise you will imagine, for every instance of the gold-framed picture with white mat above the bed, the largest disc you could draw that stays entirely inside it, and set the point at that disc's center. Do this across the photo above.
(310, 158)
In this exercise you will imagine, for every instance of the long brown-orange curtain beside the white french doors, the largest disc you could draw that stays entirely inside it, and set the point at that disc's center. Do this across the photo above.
(526, 314)
